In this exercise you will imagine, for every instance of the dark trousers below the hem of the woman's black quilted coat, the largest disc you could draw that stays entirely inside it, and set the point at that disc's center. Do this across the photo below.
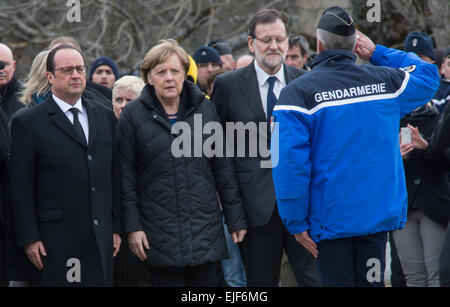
(198, 276)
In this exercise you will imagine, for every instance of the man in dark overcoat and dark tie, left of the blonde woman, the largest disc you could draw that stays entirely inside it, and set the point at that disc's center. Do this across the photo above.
(62, 150)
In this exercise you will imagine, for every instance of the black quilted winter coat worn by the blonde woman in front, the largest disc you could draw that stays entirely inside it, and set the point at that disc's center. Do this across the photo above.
(174, 200)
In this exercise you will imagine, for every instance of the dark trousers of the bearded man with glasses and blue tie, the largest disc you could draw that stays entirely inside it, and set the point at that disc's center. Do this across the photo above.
(262, 251)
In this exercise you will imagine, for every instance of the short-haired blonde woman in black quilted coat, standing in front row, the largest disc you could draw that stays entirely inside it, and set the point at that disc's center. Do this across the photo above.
(169, 203)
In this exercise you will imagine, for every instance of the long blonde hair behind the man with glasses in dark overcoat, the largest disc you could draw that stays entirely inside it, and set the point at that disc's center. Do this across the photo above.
(36, 82)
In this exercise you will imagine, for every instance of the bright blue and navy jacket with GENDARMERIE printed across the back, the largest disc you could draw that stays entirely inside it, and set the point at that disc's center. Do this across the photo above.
(340, 172)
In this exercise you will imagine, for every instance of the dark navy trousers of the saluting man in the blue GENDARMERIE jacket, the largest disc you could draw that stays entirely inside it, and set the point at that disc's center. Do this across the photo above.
(353, 262)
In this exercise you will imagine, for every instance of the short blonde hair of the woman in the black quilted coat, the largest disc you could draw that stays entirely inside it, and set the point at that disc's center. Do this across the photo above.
(160, 53)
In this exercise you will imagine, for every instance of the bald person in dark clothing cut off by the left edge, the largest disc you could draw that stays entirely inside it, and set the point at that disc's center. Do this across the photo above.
(9, 85)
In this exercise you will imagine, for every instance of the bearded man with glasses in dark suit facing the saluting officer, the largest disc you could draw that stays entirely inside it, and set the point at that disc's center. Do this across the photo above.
(248, 95)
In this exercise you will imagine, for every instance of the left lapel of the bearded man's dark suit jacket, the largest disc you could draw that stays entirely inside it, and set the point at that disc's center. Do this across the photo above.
(250, 90)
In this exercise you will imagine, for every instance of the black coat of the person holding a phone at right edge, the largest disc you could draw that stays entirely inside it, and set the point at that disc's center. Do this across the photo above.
(426, 170)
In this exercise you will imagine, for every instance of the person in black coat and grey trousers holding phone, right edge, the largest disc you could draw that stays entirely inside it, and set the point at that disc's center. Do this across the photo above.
(419, 242)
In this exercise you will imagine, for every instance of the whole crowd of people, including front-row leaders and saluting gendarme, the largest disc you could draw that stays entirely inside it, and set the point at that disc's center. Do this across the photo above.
(91, 193)
